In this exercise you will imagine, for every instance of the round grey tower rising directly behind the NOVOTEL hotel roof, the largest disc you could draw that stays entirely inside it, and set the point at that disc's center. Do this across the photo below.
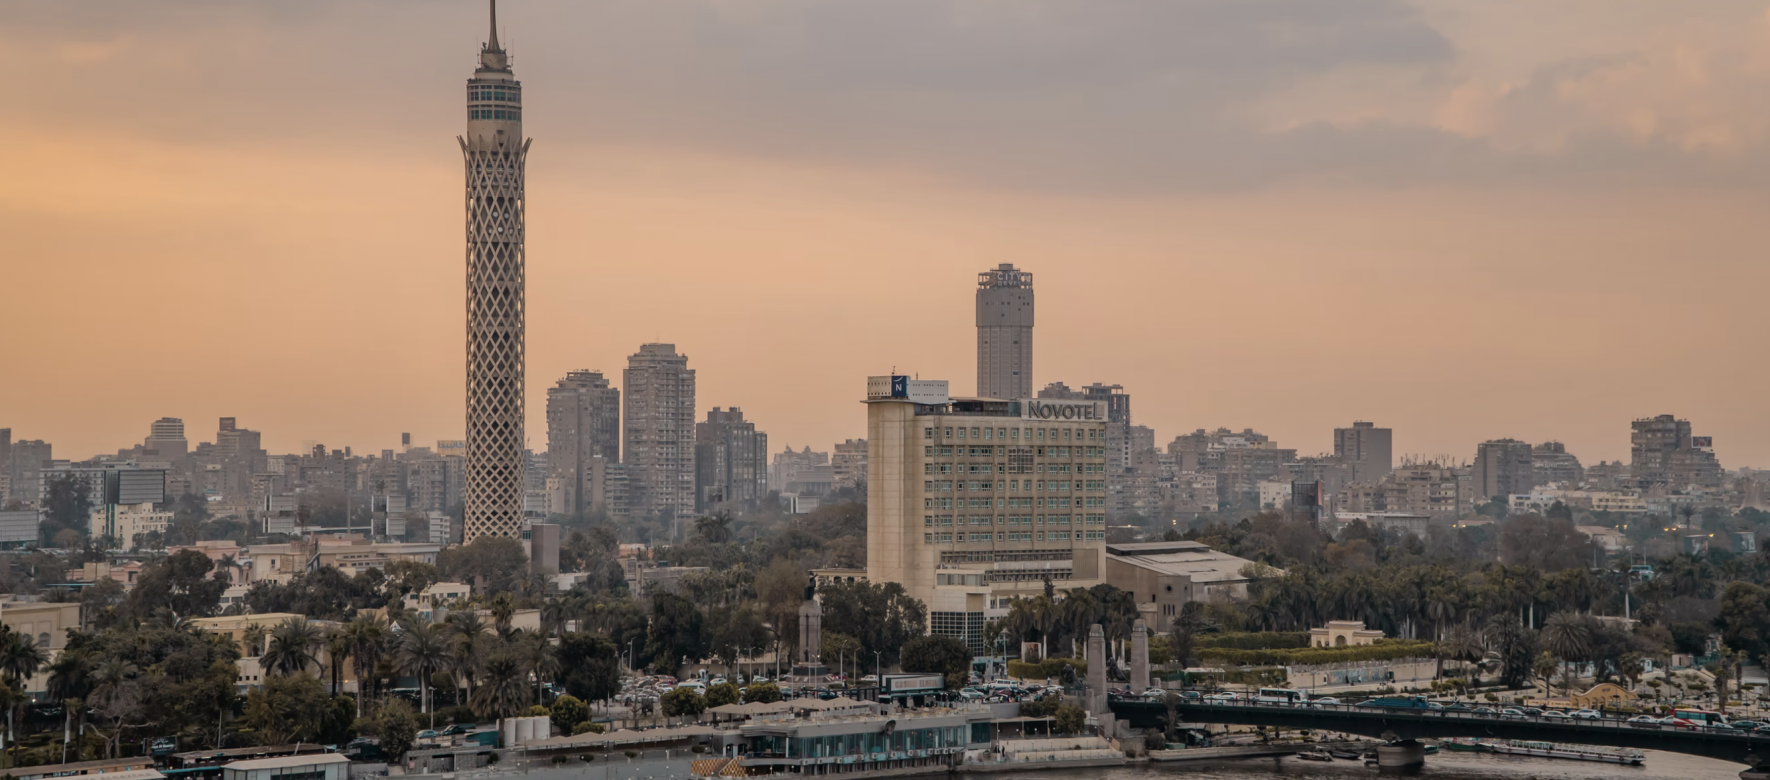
(1004, 333)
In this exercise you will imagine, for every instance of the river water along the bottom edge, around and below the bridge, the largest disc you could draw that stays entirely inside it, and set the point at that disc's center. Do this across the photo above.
(1442, 767)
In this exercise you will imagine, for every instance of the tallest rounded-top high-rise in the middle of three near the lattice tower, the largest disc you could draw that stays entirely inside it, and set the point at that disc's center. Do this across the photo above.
(658, 432)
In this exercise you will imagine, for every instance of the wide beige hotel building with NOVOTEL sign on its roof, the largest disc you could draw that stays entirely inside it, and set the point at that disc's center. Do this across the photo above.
(974, 501)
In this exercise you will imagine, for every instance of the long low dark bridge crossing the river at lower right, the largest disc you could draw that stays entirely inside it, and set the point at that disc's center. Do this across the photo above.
(1420, 724)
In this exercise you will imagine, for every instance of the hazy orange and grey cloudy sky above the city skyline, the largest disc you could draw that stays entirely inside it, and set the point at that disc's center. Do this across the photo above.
(1463, 220)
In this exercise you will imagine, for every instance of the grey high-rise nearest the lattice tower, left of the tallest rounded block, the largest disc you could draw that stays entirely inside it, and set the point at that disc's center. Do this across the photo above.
(583, 424)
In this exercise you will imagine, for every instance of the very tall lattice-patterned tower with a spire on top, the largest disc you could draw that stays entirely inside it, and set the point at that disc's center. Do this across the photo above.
(496, 158)
